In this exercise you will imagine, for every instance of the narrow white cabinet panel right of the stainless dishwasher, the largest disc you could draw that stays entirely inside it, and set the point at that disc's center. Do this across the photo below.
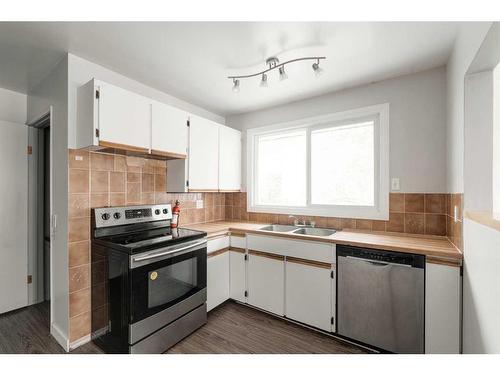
(442, 309)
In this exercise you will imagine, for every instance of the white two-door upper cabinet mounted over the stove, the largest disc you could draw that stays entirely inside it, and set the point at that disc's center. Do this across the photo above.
(109, 117)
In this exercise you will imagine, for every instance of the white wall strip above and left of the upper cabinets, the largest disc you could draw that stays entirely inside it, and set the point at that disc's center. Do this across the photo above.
(81, 71)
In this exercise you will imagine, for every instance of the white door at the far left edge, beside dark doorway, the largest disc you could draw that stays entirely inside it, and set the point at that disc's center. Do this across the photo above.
(14, 222)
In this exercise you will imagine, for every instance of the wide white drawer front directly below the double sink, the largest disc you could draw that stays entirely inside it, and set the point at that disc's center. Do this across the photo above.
(321, 252)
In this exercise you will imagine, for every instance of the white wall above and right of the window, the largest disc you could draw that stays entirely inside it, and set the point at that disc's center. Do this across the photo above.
(417, 123)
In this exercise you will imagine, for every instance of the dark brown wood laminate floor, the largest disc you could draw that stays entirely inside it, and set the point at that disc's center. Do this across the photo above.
(231, 328)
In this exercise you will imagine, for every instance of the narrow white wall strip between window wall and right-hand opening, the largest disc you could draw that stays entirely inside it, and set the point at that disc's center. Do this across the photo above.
(468, 41)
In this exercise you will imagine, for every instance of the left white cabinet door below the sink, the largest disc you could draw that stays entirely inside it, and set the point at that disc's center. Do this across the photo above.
(266, 282)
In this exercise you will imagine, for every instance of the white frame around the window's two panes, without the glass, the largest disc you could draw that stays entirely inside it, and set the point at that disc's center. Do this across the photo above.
(380, 211)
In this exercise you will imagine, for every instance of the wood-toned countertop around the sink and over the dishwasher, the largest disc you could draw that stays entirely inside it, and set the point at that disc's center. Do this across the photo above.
(437, 249)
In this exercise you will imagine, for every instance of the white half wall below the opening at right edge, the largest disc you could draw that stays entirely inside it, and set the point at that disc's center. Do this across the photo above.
(481, 307)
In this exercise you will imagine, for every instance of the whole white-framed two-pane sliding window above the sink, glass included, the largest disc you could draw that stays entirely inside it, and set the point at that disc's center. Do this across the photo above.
(335, 165)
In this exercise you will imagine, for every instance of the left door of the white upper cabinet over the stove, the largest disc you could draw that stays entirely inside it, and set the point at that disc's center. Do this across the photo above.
(124, 118)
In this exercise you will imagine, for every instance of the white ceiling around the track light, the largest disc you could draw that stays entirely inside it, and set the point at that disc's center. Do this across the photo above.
(191, 60)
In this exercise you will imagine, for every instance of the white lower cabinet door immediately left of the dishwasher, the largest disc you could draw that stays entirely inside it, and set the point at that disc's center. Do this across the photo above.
(309, 293)
